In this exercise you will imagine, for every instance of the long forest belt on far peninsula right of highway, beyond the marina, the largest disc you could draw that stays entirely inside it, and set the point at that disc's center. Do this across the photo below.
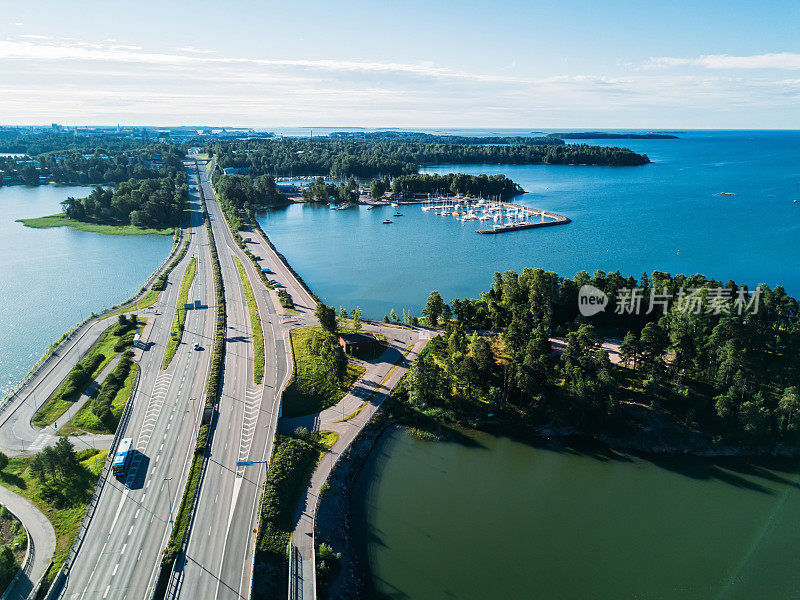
(393, 158)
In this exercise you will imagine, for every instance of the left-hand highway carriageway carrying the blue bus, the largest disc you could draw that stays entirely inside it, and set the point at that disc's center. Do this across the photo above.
(132, 521)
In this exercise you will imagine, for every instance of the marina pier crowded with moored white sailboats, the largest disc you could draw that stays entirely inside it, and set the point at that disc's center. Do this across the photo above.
(503, 216)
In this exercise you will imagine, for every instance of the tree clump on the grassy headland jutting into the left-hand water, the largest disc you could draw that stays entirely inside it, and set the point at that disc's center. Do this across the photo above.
(148, 203)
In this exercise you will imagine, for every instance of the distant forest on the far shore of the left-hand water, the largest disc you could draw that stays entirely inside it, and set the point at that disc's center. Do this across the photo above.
(94, 166)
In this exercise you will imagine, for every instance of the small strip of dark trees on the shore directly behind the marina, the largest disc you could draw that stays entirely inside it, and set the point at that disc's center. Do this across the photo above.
(457, 183)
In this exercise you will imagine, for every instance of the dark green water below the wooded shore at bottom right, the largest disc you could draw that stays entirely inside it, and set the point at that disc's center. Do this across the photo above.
(502, 519)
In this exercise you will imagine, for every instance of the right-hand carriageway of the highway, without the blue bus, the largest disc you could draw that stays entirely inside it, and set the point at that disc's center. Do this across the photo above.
(219, 555)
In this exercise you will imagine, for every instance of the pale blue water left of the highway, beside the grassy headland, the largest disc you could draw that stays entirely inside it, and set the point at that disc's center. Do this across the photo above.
(51, 279)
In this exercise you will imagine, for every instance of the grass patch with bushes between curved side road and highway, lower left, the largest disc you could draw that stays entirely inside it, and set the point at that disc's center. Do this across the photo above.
(65, 511)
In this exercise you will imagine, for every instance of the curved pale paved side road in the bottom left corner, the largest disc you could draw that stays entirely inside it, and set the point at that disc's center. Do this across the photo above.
(43, 538)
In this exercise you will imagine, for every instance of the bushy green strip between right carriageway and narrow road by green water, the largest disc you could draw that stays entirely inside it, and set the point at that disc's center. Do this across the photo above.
(294, 459)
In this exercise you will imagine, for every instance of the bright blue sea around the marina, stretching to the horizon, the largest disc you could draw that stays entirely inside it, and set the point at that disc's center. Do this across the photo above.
(667, 216)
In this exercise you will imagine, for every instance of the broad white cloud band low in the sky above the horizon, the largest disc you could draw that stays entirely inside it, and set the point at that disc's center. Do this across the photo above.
(102, 82)
